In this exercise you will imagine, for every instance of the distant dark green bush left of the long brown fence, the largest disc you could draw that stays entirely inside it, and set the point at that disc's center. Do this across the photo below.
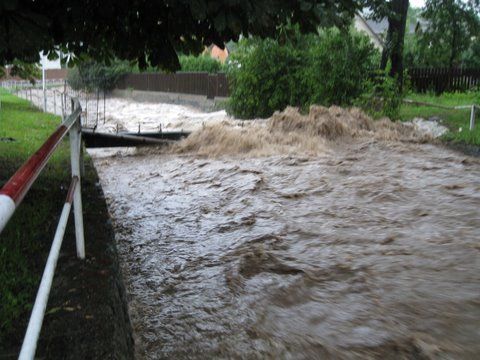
(92, 76)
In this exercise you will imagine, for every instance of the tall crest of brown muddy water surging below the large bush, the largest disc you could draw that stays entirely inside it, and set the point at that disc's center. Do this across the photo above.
(290, 132)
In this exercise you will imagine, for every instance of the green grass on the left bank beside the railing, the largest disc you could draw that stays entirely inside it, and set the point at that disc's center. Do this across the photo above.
(25, 241)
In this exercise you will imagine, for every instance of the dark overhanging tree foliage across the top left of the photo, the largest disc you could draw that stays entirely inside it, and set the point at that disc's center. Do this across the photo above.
(150, 32)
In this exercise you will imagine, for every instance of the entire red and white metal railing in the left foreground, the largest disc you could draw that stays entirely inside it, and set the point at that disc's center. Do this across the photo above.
(12, 194)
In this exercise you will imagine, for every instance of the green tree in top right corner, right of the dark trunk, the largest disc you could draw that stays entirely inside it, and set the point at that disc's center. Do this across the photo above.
(452, 26)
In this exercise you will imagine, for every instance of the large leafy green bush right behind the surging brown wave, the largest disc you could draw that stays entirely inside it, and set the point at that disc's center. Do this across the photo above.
(329, 68)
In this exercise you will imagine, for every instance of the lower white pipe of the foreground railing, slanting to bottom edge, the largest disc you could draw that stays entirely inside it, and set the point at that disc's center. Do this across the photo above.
(36, 319)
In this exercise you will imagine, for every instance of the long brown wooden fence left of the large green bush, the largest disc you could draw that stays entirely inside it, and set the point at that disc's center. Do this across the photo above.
(198, 83)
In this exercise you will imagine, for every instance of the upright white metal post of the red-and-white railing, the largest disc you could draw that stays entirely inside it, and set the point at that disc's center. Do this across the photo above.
(75, 149)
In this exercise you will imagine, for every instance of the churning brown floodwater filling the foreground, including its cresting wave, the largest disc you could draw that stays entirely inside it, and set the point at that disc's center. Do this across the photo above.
(362, 247)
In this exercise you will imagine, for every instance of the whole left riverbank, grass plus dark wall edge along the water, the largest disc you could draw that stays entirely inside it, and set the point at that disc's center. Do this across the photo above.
(86, 315)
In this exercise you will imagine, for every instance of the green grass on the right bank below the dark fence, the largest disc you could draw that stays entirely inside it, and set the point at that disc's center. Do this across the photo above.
(457, 121)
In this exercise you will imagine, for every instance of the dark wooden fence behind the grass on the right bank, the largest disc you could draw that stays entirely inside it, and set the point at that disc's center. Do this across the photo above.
(443, 79)
